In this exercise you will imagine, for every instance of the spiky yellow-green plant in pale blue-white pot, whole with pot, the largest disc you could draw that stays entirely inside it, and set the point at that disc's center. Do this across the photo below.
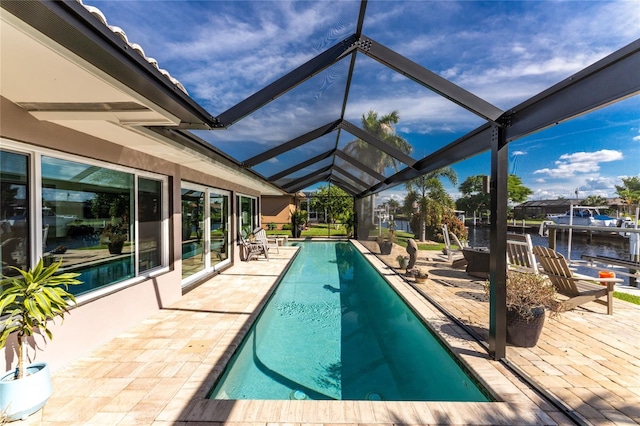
(29, 301)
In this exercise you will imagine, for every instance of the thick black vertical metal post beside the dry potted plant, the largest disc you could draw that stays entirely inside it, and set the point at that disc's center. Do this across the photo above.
(498, 244)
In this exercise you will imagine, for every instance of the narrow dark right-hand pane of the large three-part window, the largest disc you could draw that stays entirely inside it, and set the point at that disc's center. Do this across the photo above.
(149, 223)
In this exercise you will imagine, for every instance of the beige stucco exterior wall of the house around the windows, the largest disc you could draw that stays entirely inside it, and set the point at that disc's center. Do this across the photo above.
(98, 320)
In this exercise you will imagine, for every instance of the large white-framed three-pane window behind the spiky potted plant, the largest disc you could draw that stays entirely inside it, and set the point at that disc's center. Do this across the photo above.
(105, 222)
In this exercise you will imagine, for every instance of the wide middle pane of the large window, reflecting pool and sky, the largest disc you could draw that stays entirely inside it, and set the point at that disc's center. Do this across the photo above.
(86, 219)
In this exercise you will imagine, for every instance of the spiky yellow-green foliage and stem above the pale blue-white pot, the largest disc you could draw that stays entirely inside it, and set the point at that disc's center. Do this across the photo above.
(30, 300)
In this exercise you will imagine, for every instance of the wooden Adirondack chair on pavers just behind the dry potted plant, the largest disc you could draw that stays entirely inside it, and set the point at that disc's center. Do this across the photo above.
(578, 288)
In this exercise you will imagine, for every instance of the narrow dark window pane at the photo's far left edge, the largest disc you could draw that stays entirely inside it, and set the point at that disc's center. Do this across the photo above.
(14, 212)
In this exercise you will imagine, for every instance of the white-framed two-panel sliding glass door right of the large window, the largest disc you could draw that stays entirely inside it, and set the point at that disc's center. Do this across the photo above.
(203, 209)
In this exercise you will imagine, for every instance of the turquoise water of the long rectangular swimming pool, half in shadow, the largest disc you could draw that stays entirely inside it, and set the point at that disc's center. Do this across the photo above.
(334, 329)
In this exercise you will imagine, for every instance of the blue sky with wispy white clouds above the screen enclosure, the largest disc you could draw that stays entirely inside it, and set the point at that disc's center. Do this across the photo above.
(503, 52)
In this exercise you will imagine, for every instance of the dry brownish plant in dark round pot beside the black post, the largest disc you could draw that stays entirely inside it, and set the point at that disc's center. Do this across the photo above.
(529, 296)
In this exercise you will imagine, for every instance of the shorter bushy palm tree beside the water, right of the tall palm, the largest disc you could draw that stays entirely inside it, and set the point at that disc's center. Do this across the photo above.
(432, 200)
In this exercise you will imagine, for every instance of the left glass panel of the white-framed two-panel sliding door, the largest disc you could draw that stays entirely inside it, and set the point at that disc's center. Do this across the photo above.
(192, 231)
